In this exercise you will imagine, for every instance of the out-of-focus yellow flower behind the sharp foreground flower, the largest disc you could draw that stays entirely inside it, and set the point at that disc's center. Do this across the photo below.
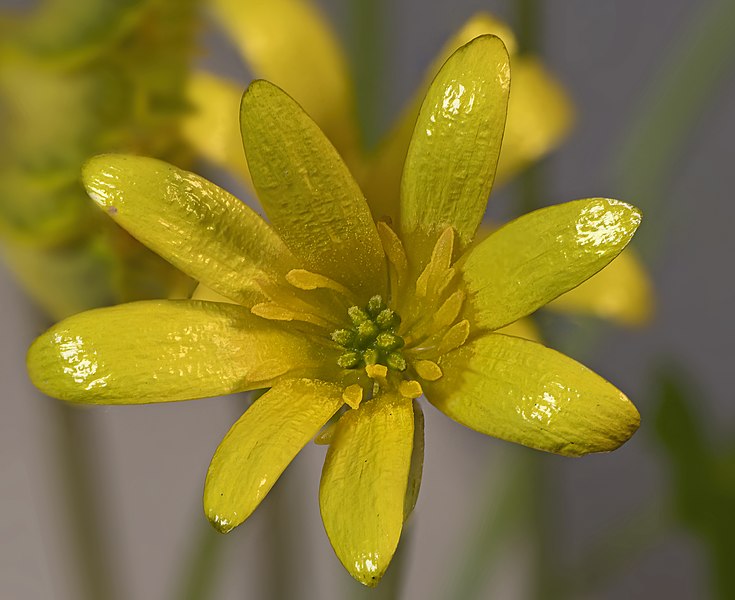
(290, 44)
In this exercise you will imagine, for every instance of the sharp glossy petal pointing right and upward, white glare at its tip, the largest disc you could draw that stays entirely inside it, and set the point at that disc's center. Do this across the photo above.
(539, 256)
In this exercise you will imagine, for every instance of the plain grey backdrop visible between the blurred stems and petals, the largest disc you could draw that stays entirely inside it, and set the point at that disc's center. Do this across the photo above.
(151, 460)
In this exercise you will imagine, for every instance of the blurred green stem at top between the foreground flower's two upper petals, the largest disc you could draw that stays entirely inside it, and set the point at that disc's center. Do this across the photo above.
(368, 50)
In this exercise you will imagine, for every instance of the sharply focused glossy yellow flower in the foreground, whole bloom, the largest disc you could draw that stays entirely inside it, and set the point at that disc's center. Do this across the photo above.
(348, 321)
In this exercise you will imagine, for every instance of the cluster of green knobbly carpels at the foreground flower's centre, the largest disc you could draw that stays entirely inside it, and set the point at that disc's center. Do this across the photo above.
(372, 339)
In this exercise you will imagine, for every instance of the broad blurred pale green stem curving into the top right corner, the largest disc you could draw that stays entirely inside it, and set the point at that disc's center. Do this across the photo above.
(679, 94)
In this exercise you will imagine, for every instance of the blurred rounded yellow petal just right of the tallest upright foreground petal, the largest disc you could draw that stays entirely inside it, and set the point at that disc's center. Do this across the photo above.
(539, 115)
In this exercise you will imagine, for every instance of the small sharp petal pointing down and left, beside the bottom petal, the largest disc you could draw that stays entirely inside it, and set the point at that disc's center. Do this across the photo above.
(261, 444)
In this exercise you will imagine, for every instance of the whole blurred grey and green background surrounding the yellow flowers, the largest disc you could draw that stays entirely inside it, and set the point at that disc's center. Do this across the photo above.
(106, 502)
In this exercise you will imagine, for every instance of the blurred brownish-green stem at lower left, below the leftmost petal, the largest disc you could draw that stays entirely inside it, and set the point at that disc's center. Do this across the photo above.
(75, 444)
